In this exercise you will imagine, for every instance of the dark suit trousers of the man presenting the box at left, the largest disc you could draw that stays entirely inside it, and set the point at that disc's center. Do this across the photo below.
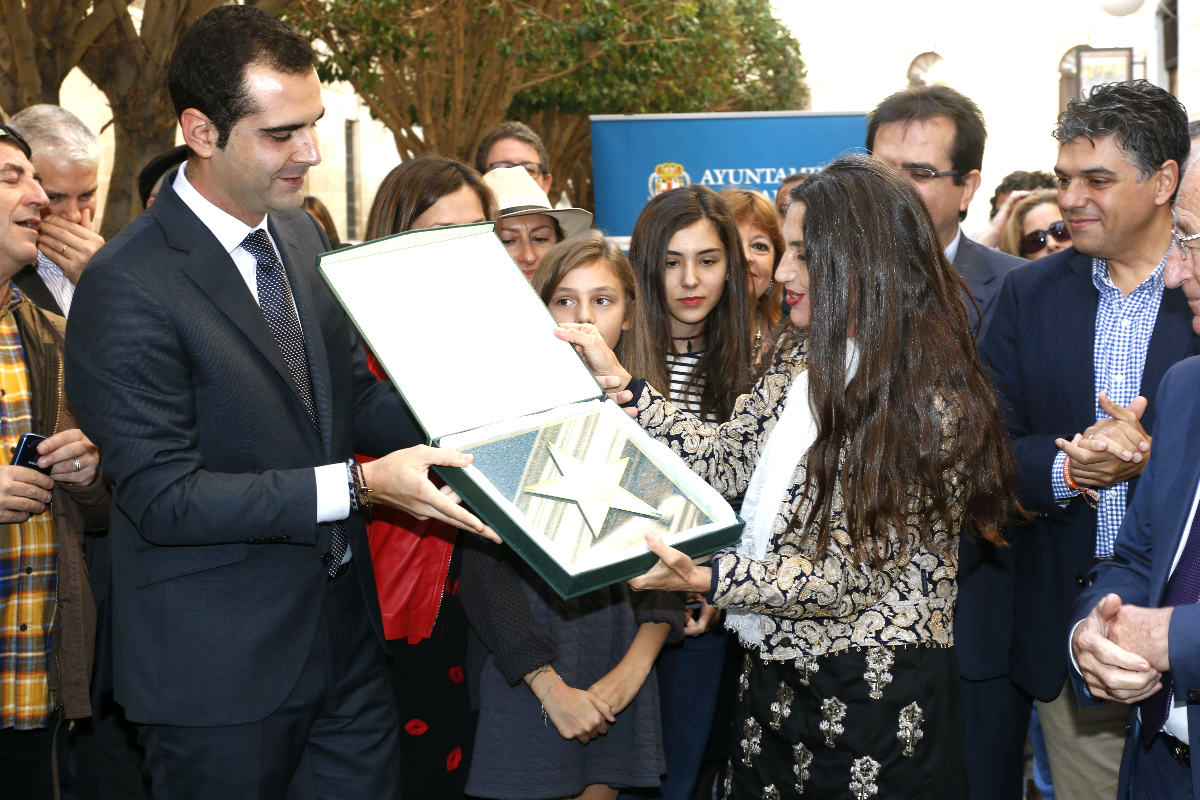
(337, 736)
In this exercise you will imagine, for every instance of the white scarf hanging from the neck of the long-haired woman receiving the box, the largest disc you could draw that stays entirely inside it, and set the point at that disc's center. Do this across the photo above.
(794, 435)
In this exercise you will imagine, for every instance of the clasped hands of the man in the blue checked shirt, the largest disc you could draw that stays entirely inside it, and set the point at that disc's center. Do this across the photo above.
(1113, 450)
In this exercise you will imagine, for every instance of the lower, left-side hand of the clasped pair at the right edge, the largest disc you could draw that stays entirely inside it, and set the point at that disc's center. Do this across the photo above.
(1112, 672)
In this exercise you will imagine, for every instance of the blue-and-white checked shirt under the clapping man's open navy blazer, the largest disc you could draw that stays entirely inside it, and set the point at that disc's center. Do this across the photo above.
(1124, 327)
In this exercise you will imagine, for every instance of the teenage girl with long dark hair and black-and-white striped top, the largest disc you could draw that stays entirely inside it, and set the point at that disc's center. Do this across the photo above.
(692, 335)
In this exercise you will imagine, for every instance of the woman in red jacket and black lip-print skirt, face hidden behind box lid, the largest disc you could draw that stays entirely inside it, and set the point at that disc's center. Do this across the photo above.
(413, 560)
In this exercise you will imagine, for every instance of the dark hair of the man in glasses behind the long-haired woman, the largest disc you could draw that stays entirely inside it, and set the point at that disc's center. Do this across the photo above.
(927, 103)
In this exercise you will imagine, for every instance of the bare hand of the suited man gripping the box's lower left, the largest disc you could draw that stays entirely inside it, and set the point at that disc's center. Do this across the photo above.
(401, 480)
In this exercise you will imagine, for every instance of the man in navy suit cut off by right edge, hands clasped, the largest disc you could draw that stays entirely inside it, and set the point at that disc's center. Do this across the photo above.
(1137, 625)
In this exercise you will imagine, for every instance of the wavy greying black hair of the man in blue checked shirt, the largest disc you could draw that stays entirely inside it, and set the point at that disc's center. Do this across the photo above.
(1150, 124)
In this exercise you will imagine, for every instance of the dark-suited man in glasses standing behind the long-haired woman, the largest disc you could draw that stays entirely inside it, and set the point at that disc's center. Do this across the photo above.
(935, 136)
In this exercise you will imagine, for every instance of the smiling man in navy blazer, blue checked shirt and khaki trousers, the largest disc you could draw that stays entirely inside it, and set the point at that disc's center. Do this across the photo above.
(1079, 342)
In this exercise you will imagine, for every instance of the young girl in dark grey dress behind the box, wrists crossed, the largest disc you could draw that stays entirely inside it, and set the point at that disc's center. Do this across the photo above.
(567, 694)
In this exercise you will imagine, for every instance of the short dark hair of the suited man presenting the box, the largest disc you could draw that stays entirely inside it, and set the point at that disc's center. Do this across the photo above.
(208, 70)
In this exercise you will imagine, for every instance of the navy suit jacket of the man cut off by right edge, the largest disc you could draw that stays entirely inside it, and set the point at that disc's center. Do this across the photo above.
(1147, 545)
